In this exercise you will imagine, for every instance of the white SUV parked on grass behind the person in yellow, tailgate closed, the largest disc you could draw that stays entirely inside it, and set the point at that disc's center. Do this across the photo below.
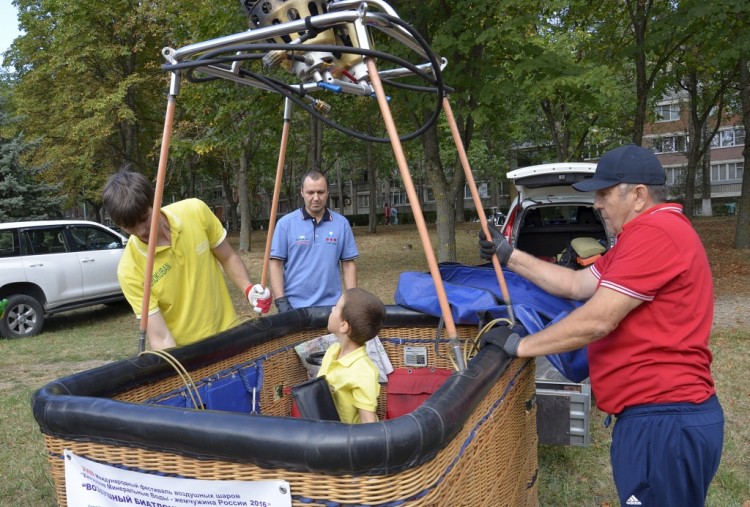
(52, 266)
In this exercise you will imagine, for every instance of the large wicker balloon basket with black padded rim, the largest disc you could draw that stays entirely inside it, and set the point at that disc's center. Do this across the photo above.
(489, 458)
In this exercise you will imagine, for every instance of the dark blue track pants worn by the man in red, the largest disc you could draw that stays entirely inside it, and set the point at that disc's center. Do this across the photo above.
(667, 454)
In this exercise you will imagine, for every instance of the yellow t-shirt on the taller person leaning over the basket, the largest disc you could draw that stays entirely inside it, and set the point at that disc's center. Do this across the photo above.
(187, 285)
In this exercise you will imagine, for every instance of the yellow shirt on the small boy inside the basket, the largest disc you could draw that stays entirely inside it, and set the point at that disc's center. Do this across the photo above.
(353, 380)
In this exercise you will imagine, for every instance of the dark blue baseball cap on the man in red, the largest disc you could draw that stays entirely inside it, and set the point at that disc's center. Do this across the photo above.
(626, 164)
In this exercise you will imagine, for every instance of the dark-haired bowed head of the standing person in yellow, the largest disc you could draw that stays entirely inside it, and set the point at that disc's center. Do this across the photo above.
(127, 197)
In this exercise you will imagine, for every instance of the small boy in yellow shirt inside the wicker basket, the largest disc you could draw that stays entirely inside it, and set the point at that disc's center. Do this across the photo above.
(352, 376)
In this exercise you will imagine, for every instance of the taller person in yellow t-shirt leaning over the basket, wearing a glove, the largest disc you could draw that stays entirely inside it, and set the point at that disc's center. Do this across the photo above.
(189, 299)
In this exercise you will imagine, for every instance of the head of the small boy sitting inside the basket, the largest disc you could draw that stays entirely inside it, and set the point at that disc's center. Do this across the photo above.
(358, 314)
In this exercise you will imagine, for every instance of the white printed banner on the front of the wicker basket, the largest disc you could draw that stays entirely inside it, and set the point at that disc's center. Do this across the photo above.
(91, 484)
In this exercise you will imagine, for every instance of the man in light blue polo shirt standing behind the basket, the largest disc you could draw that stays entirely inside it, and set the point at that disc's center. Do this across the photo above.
(307, 246)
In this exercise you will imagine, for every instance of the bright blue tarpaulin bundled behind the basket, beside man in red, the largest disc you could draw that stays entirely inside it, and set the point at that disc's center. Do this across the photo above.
(474, 296)
